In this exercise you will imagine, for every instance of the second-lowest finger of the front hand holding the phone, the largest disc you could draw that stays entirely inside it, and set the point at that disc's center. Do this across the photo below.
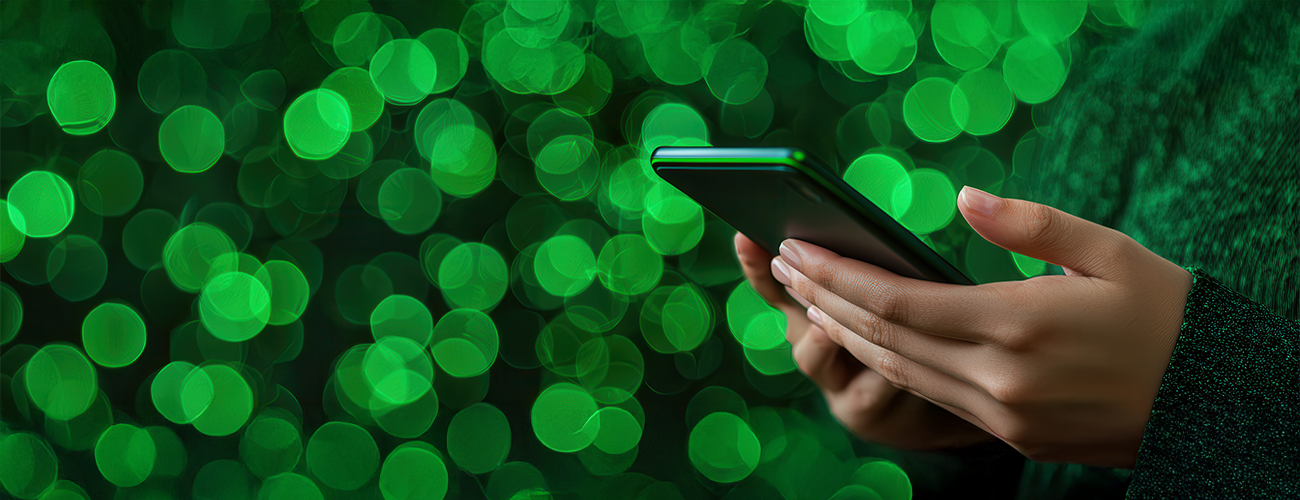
(956, 359)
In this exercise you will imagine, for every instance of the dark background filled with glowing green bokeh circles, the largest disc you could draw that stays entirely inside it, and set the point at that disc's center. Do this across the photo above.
(414, 250)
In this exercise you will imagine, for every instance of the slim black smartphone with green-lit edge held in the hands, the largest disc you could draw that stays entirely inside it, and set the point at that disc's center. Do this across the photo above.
(773, 194)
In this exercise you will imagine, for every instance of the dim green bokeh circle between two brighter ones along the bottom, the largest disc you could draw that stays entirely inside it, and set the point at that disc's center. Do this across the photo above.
(479, 438)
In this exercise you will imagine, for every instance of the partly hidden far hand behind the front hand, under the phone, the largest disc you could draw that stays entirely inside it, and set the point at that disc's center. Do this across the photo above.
(864, 402)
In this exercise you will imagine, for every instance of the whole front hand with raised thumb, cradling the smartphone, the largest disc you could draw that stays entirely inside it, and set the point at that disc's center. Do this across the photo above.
(1064, 368)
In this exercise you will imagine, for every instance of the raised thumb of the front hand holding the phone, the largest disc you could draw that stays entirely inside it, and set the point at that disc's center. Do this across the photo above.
(1047, 234)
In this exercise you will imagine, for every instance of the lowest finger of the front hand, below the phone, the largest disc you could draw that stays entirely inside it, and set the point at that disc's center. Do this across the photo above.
(904, 373)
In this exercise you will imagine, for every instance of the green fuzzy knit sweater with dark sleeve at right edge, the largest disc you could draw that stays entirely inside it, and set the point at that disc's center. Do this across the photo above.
(1186, 136)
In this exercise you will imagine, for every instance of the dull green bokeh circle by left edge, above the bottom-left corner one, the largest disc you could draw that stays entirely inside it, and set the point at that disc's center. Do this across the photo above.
(62, 382)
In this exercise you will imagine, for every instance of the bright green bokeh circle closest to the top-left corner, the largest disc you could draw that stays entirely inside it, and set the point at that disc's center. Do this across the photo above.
(81, 98)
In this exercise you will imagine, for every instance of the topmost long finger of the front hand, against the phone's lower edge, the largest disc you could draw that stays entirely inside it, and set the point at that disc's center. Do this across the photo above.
(952, 311)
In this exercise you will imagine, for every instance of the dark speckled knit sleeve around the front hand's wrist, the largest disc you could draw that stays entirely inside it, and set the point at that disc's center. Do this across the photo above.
(1227, 420)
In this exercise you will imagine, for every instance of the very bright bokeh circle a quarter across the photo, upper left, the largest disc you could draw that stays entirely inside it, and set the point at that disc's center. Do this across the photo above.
(318, 124)
